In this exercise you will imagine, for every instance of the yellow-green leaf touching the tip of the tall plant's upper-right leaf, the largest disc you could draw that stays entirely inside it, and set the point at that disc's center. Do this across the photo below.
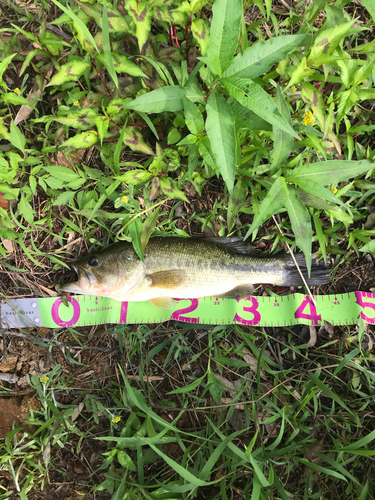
(326, 42)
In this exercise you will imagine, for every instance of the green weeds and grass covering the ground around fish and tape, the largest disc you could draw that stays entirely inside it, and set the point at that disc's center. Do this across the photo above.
(127, 134)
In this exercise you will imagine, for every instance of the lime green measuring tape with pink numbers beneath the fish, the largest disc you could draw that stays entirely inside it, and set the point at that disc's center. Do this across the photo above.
(85, 310)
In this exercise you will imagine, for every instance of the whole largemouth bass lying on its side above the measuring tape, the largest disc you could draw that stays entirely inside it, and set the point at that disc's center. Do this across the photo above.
(185, 268)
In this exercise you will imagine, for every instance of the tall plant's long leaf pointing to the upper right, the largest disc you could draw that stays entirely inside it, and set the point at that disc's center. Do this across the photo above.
(260, 57)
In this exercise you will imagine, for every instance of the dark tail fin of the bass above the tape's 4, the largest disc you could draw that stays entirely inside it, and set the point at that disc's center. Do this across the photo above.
(319, 275)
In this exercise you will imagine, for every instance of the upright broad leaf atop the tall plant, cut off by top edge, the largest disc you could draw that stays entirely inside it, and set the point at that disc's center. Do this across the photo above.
(224, 35)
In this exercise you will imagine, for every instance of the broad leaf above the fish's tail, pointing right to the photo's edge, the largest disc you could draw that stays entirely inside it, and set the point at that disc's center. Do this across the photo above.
(331, 171)
